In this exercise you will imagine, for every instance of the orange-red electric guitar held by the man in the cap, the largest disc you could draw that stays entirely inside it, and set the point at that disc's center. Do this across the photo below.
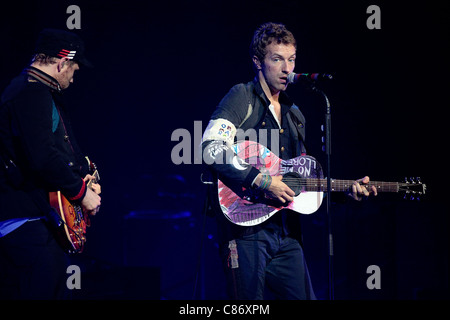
(71, 232)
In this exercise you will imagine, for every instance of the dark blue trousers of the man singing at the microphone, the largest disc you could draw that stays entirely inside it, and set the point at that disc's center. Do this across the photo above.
(266, 259)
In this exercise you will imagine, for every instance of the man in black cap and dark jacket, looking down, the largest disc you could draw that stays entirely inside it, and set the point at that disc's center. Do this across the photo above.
(39, 155)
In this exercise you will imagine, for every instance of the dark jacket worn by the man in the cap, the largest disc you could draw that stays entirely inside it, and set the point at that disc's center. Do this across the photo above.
(36, 135)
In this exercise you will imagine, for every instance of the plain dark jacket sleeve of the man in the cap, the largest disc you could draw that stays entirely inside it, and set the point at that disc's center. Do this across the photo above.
(32, 121)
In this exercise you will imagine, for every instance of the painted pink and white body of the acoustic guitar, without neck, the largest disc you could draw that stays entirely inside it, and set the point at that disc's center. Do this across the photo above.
(247, 207)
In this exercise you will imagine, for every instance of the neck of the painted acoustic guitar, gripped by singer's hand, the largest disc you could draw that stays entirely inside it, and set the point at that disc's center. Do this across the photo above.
(345, 185)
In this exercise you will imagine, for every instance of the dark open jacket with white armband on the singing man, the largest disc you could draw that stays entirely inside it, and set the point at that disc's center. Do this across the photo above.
(246, 106)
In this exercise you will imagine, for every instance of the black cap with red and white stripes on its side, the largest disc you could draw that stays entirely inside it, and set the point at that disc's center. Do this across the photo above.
(60, 44)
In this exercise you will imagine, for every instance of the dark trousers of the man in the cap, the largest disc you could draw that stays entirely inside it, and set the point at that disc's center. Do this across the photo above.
(32, 264)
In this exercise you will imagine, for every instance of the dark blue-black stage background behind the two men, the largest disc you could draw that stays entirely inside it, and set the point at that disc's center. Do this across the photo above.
(160, 66)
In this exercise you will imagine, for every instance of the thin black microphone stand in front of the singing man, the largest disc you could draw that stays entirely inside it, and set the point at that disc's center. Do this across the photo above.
(327, 150)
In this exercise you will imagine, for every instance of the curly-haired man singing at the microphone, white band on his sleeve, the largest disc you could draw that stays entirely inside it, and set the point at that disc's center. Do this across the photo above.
(268, 254)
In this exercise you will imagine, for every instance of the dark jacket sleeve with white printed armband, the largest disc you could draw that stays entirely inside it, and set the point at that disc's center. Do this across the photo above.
(217, 150)
